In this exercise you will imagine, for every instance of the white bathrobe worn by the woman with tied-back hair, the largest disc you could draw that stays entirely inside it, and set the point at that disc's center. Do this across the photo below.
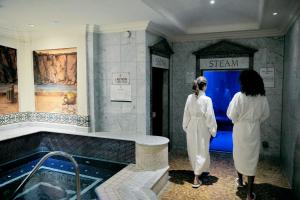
(199, 123)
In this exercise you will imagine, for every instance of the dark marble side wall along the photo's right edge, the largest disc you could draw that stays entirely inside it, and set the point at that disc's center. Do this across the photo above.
(291, 108)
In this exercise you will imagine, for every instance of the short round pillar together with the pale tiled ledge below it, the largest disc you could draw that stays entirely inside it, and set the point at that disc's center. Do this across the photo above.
(143, 180)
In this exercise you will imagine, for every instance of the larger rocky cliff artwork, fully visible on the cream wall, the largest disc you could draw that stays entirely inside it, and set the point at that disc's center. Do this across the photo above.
(55, 80)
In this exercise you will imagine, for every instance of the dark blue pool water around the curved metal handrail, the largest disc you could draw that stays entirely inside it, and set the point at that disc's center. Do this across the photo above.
(55, 179)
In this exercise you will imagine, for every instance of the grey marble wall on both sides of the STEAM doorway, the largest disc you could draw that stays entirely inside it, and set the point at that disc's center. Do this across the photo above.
(269, 54)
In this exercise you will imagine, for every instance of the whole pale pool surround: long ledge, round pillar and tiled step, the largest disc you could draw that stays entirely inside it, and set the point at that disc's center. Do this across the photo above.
(146, 178)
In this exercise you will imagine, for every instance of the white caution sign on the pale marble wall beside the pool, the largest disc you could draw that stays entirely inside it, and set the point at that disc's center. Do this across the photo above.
(120, 89)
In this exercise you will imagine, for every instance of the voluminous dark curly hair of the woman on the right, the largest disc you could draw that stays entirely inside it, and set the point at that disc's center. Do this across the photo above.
(252, 83)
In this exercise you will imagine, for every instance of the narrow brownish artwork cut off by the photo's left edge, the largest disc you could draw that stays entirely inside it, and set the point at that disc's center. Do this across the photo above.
(8, 80)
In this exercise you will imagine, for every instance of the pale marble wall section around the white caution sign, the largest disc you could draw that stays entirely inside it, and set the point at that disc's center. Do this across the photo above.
(117, 52)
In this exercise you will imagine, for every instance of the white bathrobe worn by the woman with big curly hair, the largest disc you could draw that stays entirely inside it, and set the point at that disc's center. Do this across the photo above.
(247, 113)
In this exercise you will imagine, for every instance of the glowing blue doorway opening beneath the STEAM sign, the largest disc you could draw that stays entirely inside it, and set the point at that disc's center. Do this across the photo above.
(222, 85)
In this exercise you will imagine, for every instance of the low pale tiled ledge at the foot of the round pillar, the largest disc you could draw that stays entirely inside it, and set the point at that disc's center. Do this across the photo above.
(133, 183)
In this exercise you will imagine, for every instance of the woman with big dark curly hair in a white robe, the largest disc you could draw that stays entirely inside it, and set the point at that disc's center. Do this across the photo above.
(247, 110)
